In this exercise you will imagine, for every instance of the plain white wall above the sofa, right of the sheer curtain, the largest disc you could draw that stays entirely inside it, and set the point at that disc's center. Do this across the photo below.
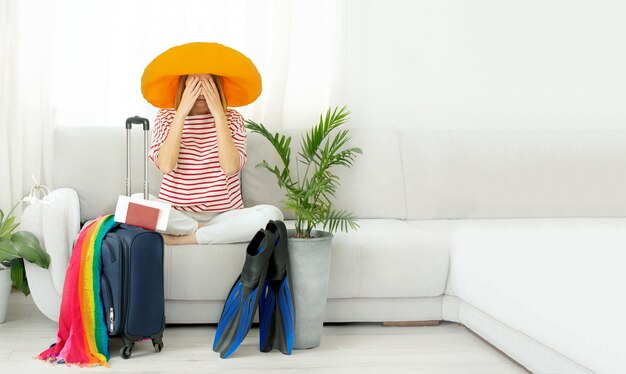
(485, 63)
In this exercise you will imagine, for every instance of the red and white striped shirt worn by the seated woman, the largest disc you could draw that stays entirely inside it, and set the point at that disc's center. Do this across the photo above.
(198, 183)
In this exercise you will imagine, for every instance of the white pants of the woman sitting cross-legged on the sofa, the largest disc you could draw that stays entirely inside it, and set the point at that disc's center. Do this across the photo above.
(233, 226)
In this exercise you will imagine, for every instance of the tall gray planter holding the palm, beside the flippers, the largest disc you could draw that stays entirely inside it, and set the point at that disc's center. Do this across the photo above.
(310, 267)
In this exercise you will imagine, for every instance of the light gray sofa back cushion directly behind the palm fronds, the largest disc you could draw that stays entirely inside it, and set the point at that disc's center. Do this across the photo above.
(372, 188)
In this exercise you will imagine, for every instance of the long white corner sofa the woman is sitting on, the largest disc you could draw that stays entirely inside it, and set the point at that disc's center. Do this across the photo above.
(518, 234)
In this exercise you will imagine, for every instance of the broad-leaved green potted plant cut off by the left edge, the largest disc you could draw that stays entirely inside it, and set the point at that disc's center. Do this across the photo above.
(15, 247)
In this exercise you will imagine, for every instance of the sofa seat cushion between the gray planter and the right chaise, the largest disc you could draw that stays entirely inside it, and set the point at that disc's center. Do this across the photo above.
(387, 258)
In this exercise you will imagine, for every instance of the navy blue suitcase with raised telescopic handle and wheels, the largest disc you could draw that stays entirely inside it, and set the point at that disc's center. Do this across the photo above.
(131, 282)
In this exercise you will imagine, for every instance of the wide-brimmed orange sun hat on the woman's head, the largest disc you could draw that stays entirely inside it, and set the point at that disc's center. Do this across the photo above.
(242, 81)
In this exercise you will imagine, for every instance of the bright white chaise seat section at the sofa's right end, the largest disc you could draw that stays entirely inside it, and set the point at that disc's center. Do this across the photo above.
(560, 281)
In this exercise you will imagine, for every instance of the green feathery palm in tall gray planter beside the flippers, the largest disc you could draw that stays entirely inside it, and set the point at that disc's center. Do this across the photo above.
(309, 195)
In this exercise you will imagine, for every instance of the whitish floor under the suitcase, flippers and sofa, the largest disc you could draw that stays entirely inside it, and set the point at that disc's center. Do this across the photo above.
(349, 348)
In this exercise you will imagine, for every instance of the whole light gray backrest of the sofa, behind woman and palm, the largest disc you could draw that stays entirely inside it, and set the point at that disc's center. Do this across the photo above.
(402, 173)
